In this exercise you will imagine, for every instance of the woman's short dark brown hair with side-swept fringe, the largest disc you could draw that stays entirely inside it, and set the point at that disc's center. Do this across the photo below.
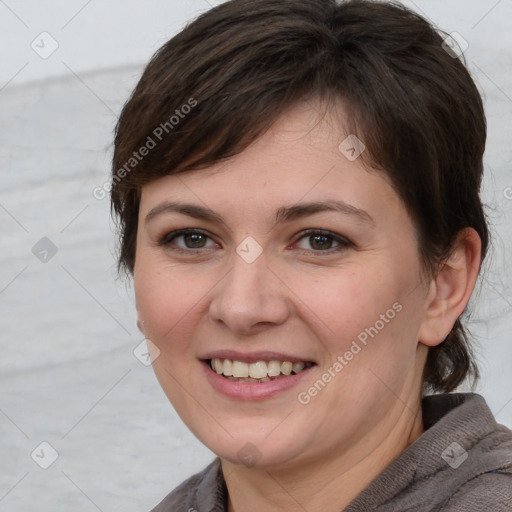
(242, 63)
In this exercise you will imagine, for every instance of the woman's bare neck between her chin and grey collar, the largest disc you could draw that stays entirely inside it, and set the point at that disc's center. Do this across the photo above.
(327, 484)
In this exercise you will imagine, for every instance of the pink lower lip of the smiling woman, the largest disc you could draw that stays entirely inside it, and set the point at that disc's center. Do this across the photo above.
(252, 390)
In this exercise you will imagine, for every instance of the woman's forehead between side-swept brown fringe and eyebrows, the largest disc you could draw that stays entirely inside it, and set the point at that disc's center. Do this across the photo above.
(302, 157)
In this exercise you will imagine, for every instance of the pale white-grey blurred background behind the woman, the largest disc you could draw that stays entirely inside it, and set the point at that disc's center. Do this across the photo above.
(68, 374)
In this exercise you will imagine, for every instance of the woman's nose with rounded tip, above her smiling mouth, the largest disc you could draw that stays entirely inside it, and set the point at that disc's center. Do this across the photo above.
(250, 298)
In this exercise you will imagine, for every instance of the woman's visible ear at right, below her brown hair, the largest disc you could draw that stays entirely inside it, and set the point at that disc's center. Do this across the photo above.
(451, 289)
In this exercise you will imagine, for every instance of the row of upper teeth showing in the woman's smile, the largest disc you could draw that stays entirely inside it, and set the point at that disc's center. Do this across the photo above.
(258, 370)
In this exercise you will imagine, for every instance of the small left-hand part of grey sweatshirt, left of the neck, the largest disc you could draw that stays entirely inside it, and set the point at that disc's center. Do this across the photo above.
(203, 491)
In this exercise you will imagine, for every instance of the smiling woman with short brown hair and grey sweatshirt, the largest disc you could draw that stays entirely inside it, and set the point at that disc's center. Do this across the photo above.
(297, 187)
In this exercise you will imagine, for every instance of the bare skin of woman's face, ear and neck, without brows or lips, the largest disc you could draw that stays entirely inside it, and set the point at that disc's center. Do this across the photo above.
(298, 299)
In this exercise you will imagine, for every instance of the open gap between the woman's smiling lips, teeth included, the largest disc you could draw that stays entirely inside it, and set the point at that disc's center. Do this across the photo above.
(259, 371)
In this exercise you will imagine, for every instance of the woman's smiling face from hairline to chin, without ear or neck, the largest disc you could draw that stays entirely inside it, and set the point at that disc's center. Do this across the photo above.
(295, 254)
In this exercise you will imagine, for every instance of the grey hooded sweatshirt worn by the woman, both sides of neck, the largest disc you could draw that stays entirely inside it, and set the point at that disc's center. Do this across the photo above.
(461, 463)
